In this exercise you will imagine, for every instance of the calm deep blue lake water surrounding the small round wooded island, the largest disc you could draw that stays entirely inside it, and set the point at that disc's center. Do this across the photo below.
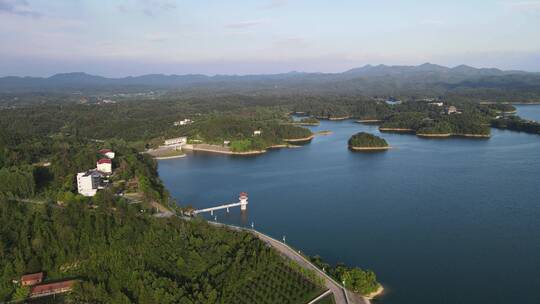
(438, 220)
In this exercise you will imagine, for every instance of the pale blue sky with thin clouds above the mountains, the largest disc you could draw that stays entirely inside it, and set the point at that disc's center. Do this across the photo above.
(117, 38)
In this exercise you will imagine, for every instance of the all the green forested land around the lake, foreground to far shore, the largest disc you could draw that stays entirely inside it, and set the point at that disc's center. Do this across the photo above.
(47, 226)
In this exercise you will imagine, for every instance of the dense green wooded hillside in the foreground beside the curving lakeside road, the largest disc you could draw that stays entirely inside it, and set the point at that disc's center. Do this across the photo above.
(120, 256)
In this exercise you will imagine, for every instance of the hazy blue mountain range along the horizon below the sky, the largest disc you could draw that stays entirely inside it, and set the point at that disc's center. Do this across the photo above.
(369, 79)
